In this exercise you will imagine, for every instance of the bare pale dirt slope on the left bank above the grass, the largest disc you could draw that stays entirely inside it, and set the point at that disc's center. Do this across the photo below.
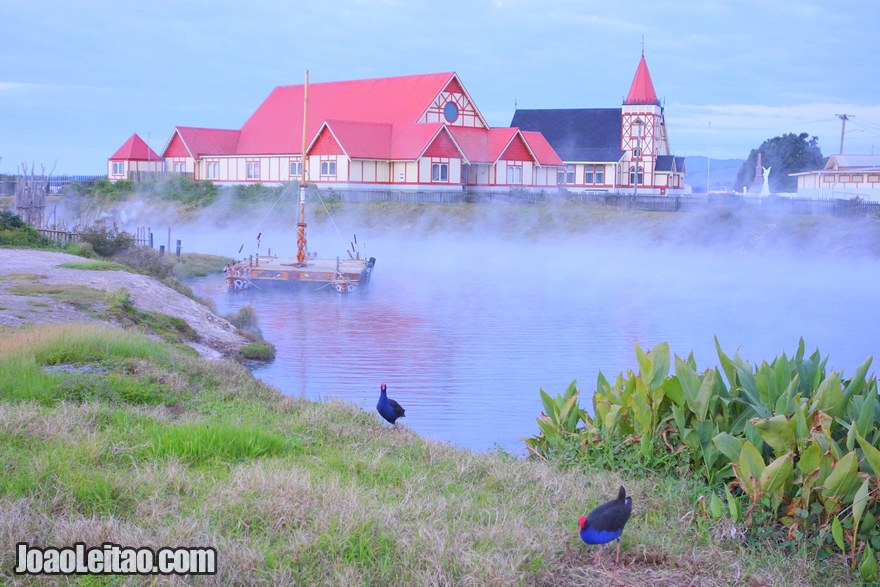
(19, 267)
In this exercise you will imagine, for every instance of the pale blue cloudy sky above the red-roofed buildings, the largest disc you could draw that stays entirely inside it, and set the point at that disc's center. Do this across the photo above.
(78, 78)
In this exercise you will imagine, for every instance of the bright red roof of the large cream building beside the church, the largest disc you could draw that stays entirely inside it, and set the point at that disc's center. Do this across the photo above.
(365, 119)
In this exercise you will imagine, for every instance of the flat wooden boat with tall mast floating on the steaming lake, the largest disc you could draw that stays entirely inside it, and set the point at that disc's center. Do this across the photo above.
(342, 275)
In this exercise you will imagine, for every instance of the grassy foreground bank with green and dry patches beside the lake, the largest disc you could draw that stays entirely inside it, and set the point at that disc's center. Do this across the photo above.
(107, 436)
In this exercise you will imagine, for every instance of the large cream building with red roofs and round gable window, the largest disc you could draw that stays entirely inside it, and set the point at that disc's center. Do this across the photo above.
(421, 131)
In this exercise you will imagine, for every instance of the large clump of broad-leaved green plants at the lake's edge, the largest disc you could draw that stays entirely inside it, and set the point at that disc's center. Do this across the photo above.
(797, 444)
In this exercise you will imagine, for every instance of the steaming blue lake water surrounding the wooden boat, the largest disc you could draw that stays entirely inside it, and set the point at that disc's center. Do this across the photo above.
(474, 308)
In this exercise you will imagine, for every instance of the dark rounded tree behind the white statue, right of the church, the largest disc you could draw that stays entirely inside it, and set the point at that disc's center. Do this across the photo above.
(789, 153)
